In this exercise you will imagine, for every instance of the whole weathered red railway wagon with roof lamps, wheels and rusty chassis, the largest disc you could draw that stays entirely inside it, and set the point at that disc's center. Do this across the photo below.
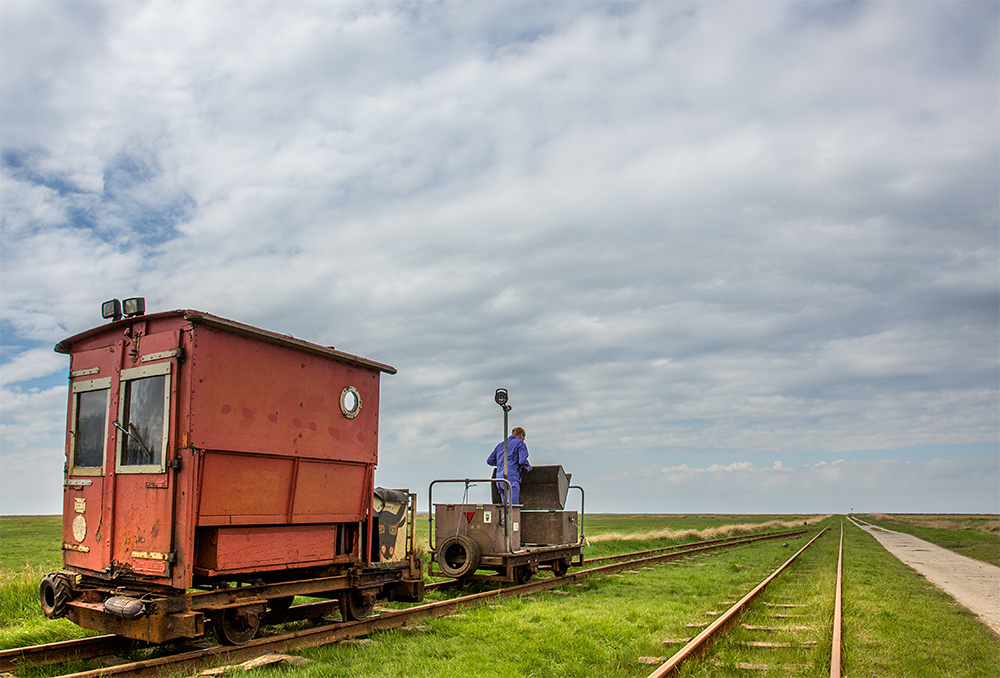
(216, 470)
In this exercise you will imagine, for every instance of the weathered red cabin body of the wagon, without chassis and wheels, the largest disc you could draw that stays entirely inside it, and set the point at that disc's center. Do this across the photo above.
(255, 457)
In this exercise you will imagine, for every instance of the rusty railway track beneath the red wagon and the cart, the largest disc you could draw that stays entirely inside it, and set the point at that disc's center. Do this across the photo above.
(194, 657)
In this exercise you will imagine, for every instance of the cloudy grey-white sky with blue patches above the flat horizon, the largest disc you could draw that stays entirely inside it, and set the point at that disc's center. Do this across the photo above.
(726, 257)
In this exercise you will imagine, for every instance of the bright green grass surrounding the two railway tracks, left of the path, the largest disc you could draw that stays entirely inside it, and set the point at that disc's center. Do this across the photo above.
(895, 623)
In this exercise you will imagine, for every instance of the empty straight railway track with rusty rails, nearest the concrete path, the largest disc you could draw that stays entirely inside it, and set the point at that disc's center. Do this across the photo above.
(718, 630)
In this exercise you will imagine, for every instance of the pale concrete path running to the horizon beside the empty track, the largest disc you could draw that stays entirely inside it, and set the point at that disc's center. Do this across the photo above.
(973, 583)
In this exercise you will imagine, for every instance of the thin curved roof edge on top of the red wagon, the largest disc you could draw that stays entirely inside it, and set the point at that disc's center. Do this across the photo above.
(201, 318)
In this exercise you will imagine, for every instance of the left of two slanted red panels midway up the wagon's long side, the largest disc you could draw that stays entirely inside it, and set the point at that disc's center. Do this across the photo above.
(237, 488)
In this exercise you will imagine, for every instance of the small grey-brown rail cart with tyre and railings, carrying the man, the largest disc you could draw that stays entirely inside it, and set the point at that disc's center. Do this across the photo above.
(504, 542)
